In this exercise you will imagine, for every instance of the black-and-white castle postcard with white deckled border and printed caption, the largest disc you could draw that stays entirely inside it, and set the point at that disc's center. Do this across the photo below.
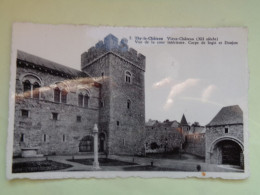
(104, 102)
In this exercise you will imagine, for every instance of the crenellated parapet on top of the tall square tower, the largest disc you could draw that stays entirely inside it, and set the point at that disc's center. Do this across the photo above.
(111, 44)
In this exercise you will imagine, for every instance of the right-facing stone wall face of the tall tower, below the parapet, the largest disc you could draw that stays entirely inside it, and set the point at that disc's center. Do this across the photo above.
(127, 136)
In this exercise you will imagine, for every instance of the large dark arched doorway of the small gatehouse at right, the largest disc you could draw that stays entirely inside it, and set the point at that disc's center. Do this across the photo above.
(227, 152)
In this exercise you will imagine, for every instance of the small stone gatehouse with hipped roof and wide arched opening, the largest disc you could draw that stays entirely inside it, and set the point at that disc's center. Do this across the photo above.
(224, 137)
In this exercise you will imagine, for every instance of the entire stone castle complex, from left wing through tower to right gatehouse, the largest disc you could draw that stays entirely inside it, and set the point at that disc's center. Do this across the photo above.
(56, 108)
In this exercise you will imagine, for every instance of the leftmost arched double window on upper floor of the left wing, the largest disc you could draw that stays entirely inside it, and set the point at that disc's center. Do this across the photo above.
(35, 83)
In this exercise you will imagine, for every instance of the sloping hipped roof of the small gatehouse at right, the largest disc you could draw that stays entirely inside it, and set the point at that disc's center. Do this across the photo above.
(228, 115)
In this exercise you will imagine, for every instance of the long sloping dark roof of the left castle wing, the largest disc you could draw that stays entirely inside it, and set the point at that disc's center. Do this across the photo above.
(49, 64)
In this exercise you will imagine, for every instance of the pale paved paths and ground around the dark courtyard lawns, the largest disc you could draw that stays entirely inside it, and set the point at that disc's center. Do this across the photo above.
(189, 163)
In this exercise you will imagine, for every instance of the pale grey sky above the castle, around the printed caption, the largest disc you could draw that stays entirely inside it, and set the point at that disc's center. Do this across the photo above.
(195, 80)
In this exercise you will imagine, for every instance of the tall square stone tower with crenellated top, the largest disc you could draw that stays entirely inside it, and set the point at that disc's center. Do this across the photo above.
(120, 71)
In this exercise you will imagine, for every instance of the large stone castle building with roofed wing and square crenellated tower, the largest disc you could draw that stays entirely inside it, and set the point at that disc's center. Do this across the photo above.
(56, 106)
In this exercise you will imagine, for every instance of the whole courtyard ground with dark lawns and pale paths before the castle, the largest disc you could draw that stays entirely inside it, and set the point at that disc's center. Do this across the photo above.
(151, 162)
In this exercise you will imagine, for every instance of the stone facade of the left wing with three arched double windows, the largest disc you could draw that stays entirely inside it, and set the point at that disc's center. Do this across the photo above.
(62, 136)
